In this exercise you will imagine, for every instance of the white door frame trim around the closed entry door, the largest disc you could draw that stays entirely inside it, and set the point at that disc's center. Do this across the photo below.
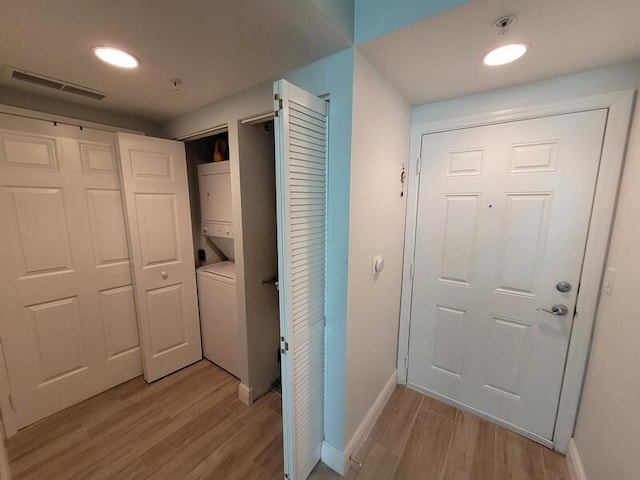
(619, 106)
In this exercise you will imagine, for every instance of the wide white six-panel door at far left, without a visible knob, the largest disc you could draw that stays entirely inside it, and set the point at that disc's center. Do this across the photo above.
(67, 316)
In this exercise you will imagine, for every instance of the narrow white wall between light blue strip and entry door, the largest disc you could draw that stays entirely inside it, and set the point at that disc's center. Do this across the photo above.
(379, 148)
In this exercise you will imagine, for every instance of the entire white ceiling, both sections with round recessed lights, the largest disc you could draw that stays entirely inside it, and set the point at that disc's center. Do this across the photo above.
(220, 47)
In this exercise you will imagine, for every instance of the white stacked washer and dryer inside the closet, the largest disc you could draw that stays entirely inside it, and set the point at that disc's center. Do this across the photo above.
(217, 293)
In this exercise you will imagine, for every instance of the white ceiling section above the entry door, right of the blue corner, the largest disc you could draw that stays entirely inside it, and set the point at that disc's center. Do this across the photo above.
(441, 57)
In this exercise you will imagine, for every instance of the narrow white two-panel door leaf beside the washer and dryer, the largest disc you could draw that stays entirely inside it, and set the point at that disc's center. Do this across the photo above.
(154, 182)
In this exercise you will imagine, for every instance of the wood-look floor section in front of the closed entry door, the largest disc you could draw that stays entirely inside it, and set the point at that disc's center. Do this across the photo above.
(419, 438)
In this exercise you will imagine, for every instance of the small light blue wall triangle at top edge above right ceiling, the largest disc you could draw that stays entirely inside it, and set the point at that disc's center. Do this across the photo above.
(374, 18)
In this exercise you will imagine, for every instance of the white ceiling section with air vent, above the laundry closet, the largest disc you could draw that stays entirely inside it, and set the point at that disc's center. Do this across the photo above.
(215, 47)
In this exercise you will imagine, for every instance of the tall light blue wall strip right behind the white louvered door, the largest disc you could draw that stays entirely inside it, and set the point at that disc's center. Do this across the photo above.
(333, 75)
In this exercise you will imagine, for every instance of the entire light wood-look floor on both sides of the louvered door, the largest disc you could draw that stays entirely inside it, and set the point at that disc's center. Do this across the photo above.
(191, 426)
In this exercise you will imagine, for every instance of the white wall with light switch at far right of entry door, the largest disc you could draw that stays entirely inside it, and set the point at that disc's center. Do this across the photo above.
(607, 434)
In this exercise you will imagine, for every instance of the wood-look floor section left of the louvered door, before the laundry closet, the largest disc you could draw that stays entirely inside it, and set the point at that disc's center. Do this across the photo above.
(189, 425)
